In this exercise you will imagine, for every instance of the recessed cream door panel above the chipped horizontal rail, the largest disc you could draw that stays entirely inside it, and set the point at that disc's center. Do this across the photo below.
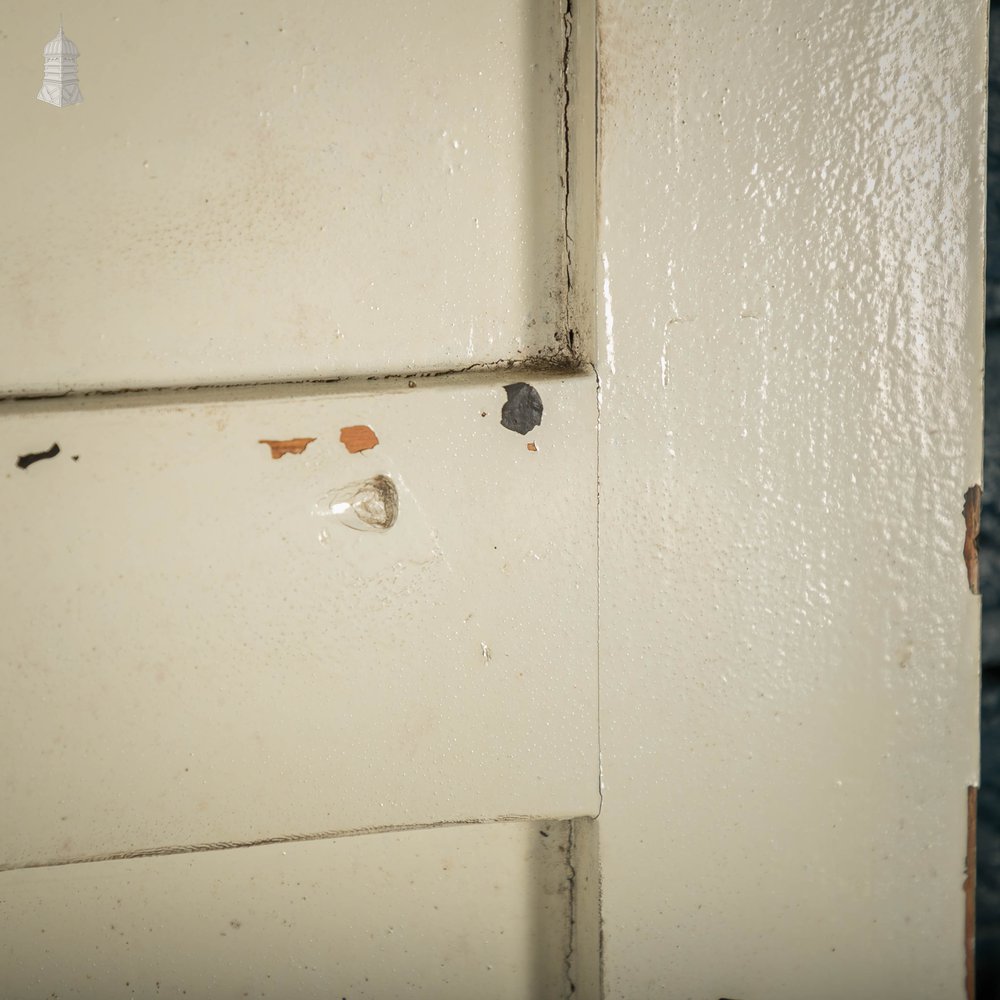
(315, 189)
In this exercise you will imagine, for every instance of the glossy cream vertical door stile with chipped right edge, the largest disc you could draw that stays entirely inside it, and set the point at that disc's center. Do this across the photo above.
(790, 265)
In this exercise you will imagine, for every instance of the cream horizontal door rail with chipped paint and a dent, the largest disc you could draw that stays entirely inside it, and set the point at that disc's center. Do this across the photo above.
(197, 649)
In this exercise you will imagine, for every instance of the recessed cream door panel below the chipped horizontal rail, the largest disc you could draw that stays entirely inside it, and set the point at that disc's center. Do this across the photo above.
(480, 911)
